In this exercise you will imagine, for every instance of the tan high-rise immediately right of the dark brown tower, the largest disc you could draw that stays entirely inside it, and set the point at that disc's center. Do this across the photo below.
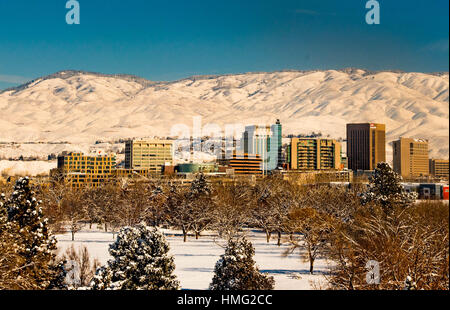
(411, 157)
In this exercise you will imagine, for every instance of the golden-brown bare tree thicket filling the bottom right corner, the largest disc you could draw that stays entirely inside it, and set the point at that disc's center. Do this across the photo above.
(409, 242)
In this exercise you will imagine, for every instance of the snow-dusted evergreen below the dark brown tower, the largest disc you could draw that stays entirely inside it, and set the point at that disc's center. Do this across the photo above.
(385, 188)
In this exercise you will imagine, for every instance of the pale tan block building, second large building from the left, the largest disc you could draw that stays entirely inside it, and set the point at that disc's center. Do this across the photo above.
(148, 154)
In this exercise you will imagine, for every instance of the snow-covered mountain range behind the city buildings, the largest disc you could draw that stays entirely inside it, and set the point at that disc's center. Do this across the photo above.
(82, 107)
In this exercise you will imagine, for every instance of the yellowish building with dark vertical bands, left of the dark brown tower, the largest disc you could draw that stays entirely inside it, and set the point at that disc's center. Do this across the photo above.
(315, 154)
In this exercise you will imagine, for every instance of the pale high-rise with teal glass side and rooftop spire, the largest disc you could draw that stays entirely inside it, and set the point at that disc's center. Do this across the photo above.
(266, 142)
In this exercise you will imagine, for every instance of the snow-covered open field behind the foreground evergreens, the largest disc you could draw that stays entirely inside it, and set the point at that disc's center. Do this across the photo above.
(195, 259)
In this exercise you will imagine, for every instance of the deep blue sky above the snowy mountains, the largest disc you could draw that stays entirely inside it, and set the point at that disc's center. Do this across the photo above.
(169, 40)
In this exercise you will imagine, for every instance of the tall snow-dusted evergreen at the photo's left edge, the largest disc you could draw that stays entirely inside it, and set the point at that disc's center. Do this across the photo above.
(25, 222)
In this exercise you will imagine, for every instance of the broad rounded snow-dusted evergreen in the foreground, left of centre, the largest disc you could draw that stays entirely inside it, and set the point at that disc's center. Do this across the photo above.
(141, 261)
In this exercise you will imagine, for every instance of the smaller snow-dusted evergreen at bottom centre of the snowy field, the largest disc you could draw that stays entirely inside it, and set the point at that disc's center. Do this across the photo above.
(236, 270)
